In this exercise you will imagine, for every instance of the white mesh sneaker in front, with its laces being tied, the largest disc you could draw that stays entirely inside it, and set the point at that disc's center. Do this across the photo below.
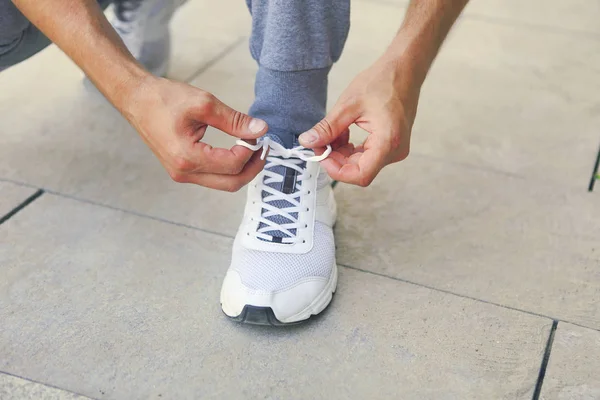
(283, 267)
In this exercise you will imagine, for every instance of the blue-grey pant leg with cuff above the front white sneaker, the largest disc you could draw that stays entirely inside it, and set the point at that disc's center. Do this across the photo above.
(295, 43)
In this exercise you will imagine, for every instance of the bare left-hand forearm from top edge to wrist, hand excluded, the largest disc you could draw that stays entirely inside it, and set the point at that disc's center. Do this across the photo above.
(82, 32)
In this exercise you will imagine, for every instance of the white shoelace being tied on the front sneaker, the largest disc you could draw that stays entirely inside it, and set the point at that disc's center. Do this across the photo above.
(289, 158)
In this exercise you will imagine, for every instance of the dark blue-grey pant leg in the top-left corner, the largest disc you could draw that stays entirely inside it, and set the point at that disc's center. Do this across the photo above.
(19, 38)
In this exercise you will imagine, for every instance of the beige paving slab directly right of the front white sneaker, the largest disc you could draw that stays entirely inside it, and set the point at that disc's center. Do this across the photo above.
(478, 233)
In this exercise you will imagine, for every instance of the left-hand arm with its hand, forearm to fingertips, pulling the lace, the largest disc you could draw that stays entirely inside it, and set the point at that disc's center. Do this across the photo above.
(171, 117)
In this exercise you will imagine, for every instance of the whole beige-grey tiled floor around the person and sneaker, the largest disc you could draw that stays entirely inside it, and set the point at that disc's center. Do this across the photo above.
(490, 207)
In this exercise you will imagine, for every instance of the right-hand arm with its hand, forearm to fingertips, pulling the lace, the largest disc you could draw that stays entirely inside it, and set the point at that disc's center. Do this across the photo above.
(383, 99)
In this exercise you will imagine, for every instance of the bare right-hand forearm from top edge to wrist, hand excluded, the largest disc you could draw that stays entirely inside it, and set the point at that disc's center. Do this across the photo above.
(425, 27)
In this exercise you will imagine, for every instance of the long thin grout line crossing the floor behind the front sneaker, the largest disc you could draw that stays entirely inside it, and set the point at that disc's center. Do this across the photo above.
(226, 236)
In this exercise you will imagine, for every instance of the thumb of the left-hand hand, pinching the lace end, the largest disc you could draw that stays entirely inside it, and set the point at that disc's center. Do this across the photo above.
(235, 123)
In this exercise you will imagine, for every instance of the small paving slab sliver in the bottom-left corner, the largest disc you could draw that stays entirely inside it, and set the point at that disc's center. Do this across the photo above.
(13, 388)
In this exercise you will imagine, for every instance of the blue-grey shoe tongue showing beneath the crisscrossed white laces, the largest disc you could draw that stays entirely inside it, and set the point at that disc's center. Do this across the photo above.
(287, 186)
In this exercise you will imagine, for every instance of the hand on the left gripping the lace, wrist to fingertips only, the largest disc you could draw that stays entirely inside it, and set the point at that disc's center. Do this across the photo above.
(172, 118)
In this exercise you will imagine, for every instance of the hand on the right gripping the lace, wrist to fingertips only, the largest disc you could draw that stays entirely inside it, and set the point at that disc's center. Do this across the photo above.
(382, 102)
